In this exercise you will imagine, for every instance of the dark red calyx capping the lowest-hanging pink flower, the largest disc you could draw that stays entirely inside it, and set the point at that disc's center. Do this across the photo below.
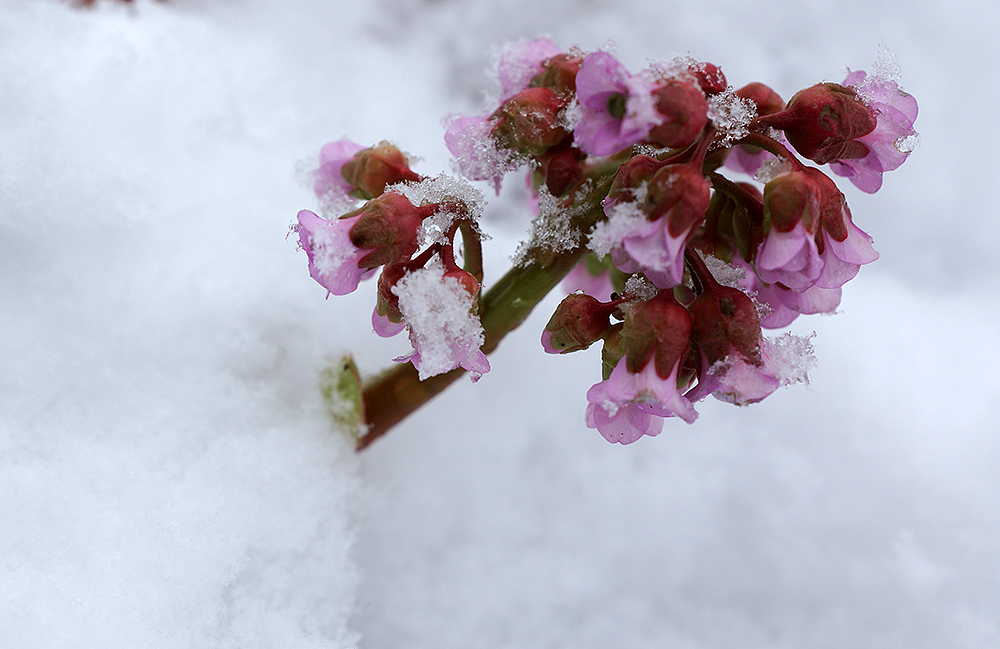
(659, 328)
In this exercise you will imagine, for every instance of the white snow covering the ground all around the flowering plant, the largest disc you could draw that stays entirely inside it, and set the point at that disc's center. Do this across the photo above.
(168, 478)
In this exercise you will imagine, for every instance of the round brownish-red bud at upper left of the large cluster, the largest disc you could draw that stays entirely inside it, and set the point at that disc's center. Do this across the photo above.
(529, 122)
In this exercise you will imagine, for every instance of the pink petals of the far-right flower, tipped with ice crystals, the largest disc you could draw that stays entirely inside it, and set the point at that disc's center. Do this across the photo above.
(893, 138)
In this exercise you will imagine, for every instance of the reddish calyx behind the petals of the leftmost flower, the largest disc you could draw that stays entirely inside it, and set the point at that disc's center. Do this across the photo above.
(389, 225)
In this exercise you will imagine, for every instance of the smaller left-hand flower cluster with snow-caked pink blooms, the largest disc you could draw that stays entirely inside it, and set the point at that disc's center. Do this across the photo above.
(427, 293)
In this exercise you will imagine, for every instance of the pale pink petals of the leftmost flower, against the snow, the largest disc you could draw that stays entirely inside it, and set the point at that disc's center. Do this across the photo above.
(333, 259)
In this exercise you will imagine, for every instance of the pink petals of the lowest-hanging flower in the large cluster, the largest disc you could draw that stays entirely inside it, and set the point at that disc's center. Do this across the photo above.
(622, 407)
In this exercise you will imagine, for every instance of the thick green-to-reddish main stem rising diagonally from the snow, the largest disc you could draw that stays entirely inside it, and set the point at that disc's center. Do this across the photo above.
(397, 392)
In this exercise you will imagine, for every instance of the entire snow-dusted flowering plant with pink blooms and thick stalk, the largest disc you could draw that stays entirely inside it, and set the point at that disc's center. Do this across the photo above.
(675, 267)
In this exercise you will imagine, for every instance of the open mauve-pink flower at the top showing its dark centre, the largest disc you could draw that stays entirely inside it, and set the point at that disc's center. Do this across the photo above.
(618, 108)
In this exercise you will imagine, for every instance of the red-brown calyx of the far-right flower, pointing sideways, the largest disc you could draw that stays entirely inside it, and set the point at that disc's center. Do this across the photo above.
(823, 122)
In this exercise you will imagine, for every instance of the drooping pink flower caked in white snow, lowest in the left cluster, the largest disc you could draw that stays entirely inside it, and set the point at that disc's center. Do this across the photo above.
(443, 330)
